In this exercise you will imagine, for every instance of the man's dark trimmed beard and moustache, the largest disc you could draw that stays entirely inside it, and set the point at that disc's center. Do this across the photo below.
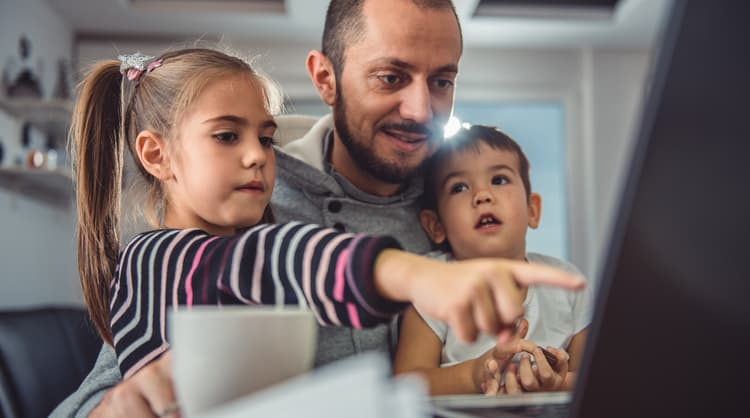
(365, 157)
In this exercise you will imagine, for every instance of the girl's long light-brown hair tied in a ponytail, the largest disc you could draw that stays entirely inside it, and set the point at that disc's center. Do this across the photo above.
(109, 113)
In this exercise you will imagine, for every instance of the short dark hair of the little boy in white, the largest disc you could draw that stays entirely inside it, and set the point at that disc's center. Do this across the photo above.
(469, 139)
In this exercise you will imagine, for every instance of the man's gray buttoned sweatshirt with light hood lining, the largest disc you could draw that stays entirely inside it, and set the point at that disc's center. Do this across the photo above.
(307, 189)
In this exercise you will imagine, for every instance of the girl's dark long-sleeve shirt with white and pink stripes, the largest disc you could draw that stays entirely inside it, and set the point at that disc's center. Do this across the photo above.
(328, 271)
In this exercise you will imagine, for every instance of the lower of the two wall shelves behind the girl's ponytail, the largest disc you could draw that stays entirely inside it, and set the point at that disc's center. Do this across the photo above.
(51, 186)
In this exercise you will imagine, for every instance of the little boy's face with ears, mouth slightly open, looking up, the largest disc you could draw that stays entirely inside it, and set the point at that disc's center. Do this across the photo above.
(482, 206)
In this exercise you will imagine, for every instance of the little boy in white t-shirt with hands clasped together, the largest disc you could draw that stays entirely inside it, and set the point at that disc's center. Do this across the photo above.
(478, 203)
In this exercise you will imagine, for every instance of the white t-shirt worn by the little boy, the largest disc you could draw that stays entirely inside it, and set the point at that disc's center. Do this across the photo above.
(555, 315)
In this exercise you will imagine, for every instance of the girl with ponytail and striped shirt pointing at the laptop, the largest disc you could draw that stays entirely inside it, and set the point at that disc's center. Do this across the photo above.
(198, 124)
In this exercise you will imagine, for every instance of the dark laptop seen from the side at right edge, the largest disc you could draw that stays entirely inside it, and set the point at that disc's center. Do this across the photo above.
(670, 335)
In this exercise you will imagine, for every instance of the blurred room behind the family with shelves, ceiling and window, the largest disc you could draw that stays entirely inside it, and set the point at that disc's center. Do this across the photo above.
(564, 78)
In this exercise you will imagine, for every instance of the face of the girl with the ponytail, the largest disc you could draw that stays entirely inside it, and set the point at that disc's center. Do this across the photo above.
(222, 160)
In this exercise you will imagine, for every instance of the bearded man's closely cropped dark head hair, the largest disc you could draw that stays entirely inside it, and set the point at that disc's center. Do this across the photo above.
(344, 25)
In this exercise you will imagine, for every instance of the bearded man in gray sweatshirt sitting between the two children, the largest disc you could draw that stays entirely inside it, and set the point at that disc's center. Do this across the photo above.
(387, 70)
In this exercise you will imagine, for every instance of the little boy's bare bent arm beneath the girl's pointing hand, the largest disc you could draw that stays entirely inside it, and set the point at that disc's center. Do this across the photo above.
(419, 350)
